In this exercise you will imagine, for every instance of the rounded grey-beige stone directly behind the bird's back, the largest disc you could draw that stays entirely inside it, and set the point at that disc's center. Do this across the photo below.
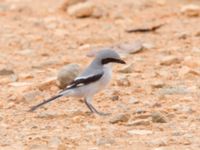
(67, 74)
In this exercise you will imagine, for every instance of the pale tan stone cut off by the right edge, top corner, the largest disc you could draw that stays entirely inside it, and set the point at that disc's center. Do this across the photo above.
(191, 10)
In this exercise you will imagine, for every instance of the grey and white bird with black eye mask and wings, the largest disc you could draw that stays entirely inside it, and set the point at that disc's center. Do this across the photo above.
(91, 81)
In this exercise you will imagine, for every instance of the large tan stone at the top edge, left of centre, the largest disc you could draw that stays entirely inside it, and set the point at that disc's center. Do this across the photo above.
(81, 10)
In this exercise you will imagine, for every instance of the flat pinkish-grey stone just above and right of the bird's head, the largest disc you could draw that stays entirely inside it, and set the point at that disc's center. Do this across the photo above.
(132, 48)
